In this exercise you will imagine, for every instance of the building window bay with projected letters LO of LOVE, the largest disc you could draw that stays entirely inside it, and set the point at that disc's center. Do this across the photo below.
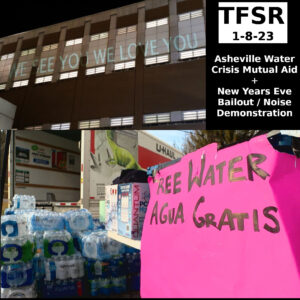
(125, 51)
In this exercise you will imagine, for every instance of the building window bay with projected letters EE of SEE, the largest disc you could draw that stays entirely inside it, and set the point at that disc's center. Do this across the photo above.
(47, 60)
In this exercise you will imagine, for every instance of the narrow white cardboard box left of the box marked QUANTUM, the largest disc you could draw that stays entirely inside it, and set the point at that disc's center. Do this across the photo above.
(111, 200)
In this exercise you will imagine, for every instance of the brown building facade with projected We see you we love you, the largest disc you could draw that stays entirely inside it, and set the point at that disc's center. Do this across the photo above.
(139, 66)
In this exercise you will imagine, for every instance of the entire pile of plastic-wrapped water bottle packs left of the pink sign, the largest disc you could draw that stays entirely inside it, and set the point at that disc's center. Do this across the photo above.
(51, 255)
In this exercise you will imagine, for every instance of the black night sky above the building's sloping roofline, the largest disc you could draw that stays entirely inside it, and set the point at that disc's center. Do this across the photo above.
(18, 16)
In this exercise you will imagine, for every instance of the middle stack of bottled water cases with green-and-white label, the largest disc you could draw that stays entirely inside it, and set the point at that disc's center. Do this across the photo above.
(61, 268)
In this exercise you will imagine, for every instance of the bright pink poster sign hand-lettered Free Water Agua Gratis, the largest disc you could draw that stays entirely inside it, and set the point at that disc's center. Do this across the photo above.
(224, 224)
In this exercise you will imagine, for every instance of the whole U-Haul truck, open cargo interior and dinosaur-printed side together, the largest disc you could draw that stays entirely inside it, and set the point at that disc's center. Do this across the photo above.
(69, 169)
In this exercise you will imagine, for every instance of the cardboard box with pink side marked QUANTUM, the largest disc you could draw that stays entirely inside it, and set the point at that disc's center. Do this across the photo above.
(133, 199)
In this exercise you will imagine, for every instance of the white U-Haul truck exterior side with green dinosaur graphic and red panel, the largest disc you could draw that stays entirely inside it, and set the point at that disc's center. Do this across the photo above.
(105, 154)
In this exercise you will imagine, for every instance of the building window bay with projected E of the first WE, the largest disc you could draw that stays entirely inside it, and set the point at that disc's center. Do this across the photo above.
(25, 64)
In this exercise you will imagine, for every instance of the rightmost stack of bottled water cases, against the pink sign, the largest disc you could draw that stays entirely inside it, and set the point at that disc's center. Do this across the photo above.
(111, 267)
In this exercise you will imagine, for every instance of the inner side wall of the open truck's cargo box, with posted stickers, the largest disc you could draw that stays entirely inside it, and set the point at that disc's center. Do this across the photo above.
(64, 185)
